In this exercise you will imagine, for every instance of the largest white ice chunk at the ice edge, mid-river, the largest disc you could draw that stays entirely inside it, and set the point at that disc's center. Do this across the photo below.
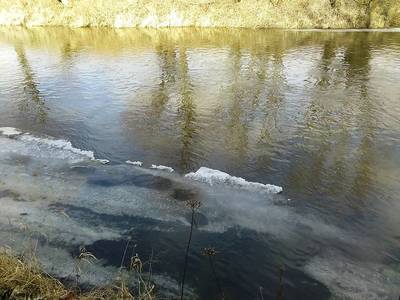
(211, 177)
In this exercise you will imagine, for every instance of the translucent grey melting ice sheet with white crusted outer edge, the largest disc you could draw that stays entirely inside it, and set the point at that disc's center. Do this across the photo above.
(41, 178)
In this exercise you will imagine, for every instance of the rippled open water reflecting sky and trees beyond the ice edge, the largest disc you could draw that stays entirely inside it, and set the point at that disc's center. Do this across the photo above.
(317, 113)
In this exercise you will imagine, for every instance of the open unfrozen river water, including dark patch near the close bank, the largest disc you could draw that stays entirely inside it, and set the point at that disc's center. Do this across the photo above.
(317, 113)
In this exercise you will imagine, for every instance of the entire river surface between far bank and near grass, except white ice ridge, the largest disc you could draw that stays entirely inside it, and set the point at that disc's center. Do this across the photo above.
(317, 113)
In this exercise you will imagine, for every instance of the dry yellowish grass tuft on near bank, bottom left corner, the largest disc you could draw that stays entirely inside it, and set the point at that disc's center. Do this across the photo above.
(24, 279)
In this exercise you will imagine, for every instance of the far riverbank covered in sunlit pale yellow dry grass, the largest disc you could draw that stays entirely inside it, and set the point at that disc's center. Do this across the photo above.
(201, 13)
